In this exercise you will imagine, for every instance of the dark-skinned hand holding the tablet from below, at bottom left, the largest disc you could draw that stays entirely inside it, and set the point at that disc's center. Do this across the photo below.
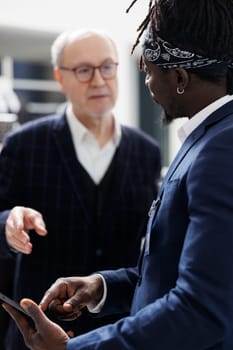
(45, 334)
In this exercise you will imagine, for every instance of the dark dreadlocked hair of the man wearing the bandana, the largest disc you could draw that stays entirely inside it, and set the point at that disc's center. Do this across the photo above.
(204, 27)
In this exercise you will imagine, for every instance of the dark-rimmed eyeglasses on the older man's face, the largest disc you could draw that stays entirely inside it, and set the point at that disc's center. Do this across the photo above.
(85, 73)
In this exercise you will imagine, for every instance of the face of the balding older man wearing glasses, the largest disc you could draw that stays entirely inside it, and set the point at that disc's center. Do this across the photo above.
(97, 97)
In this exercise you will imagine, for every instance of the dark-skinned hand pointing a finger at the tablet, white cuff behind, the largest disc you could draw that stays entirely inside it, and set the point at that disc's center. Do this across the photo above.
(67, 296)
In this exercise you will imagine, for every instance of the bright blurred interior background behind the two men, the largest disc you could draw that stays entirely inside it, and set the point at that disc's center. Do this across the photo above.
(27, 88)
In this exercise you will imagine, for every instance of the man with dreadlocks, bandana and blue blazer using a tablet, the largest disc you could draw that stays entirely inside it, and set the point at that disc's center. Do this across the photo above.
(181, 294)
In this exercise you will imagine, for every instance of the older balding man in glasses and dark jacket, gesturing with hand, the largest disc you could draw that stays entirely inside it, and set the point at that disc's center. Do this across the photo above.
(81, 176)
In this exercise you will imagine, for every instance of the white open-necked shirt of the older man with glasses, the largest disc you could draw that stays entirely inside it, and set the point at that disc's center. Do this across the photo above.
(94, 159)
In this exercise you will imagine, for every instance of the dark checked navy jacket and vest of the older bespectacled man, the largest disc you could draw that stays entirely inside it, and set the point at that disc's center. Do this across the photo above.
(39, 169)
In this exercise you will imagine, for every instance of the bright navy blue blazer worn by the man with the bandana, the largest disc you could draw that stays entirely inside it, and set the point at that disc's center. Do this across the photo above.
(181, 296)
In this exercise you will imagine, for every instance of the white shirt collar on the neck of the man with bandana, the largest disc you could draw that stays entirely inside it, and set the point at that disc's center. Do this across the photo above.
(198, 118)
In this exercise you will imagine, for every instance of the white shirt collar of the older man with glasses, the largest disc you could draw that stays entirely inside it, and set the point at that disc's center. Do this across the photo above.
(79, 131)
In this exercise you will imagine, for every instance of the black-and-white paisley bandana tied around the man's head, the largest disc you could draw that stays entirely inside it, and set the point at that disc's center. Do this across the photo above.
(164, 54)
